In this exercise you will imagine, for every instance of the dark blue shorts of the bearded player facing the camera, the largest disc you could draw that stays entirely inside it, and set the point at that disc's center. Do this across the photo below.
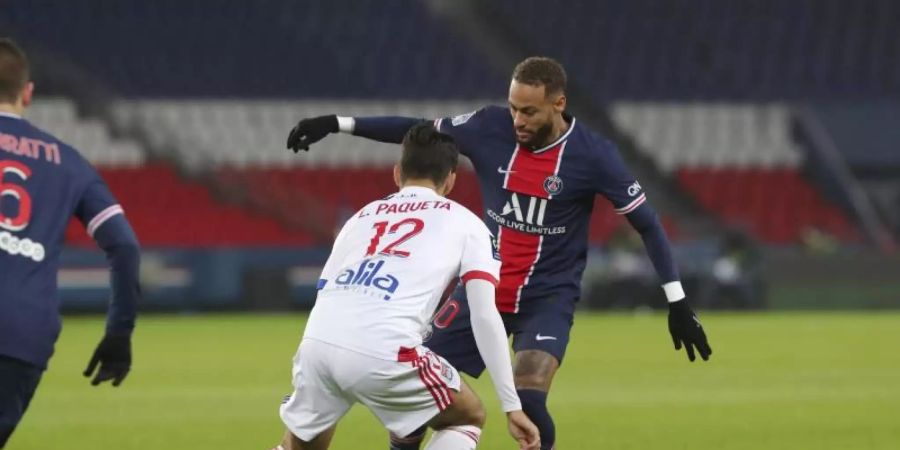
(543, 325)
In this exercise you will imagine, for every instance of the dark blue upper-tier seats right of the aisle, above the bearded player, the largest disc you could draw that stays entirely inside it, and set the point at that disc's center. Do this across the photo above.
(718, 49)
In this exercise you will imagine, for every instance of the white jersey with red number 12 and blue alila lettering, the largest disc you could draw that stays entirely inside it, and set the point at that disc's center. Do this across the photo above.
(391, 265)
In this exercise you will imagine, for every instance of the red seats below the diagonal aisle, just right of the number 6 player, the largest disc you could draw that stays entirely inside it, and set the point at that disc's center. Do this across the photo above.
(168, 211)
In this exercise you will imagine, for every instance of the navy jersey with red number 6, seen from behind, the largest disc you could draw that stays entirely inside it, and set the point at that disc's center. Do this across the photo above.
(43, 183)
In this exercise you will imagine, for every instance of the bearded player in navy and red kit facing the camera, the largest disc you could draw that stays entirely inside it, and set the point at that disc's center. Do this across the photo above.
(539, 170)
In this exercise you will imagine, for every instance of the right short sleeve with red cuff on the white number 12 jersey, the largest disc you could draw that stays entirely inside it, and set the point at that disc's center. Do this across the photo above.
(479, 260)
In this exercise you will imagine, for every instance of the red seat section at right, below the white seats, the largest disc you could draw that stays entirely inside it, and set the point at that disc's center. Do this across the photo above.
(777, 205)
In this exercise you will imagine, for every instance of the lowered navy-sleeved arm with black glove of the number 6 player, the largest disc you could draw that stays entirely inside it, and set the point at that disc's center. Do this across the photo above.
(113, 353)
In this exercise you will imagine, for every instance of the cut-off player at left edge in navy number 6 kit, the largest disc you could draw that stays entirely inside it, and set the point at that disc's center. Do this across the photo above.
(44, 182)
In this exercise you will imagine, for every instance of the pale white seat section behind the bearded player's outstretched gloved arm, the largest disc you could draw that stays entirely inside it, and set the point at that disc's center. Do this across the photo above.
(253, 132)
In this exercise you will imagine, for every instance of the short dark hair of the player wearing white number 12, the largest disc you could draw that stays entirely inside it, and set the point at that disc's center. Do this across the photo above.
(428, 154)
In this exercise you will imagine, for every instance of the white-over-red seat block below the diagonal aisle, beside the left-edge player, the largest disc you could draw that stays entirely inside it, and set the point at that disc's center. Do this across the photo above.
(164, 209)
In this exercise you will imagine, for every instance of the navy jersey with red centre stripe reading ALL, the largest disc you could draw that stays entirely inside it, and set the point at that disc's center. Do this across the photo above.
(538, 202)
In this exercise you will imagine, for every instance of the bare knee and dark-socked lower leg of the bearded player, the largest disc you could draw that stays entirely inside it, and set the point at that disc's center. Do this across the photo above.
(534, 371)
